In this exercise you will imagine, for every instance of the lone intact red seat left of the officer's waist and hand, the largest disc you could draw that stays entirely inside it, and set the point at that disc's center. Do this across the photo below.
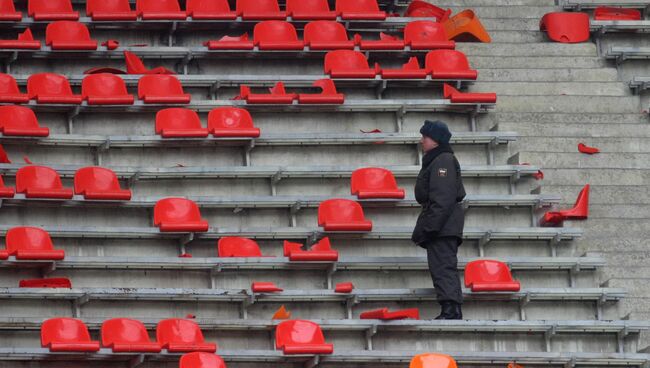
(342, 215)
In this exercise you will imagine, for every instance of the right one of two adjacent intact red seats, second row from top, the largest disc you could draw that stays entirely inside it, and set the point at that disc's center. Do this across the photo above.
(327, 35)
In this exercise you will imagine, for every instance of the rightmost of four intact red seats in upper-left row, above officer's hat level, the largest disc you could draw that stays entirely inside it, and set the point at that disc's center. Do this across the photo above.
(162, 89)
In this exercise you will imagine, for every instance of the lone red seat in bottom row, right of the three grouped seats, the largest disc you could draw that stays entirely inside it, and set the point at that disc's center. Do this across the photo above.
(301, 337)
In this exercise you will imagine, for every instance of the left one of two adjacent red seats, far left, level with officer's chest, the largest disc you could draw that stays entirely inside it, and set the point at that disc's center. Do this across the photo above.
(41, 182)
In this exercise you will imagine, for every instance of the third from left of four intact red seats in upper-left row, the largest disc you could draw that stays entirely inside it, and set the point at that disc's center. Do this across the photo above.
(105, 89)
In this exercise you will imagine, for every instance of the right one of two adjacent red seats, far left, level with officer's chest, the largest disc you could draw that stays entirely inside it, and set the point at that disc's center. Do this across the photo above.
(99, 183)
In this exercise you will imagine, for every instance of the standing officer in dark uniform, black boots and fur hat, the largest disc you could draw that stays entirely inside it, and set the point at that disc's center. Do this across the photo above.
(439, 228)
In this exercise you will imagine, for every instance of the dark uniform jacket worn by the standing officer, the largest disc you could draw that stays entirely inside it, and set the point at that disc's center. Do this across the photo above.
(439, 189)
